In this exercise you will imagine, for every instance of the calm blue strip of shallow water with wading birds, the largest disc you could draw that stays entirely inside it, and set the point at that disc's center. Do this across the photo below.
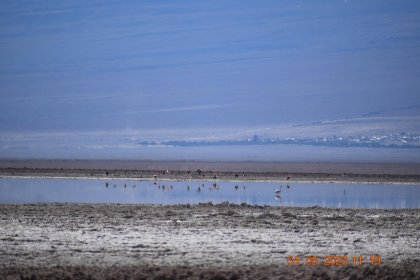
(341, 195)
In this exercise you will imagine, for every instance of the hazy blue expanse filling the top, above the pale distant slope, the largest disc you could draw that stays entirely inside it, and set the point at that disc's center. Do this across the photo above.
(86, 66)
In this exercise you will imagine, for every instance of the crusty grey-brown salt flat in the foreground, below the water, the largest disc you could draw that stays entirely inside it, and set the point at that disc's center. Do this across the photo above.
(225, 241)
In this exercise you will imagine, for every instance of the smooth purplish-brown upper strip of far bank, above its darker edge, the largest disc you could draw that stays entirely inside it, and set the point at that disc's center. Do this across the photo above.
(221, 166)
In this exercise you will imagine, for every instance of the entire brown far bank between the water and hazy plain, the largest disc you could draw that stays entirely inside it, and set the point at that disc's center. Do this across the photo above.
(309, 172)
